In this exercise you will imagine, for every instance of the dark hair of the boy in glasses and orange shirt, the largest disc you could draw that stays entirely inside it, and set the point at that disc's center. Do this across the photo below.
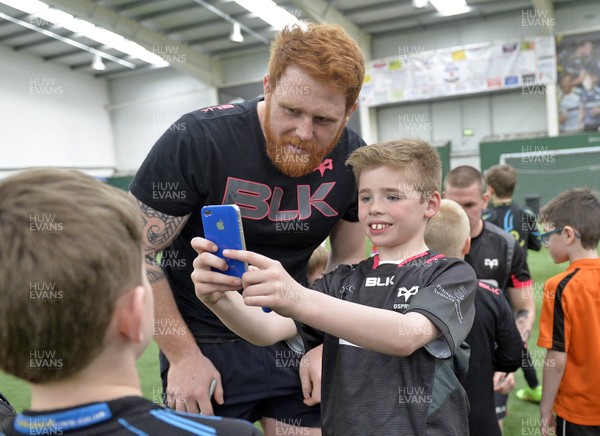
(578, 208)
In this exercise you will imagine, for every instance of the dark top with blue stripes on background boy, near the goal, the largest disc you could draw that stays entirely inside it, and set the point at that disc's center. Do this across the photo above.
(519, 222)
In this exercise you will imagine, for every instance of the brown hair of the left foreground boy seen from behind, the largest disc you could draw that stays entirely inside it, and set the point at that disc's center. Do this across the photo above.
(70, 246)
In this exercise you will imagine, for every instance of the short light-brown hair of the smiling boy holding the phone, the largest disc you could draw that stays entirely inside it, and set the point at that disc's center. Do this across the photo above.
(415, 157)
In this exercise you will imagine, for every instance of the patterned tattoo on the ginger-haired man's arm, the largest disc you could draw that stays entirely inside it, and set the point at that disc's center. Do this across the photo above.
(159, 231)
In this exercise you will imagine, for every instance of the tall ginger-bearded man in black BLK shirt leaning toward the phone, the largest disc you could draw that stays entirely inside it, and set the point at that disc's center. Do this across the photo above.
(281, 160)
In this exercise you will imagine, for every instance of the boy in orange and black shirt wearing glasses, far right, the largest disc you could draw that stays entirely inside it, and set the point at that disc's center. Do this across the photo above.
(570, 318)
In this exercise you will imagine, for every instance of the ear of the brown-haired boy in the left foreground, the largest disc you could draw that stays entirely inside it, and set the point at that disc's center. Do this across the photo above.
(130, 312)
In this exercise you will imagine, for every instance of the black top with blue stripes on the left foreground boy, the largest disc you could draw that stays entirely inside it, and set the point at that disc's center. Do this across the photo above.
(125, 416)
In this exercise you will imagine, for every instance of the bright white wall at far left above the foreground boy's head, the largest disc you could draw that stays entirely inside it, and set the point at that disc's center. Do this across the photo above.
(51, 115)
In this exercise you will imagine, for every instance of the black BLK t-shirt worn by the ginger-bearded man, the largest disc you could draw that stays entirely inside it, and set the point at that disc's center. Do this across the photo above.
(217, 155)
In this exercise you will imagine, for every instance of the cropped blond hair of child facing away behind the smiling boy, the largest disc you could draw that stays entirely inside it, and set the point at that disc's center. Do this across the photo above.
(448, 230)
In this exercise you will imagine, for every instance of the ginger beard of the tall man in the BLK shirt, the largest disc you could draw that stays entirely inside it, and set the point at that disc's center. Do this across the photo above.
(283, 156)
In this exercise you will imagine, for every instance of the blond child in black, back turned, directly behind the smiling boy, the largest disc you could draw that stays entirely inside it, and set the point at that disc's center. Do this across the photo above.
(494, 339)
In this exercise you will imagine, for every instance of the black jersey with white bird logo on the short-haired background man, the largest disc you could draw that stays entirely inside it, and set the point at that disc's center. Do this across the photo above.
(497, 259)
